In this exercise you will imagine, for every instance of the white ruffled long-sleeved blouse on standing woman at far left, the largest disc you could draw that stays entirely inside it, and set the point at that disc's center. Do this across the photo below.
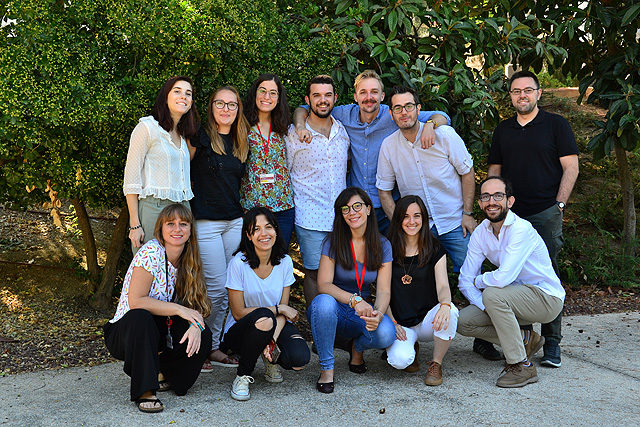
(155, 166)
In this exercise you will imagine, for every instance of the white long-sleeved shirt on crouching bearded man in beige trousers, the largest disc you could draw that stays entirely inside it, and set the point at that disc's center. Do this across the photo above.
(519, 253)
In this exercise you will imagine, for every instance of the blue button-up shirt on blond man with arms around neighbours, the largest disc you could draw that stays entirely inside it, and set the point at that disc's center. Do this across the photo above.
(366, 139)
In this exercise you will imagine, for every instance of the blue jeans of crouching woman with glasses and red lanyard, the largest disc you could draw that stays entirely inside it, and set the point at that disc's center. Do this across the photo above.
(328, 316)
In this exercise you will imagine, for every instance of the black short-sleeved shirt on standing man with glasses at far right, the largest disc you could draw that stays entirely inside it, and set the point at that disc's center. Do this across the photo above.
(530, 158)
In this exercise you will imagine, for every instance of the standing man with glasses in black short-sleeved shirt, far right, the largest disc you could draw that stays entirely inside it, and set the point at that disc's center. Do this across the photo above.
(536, 151)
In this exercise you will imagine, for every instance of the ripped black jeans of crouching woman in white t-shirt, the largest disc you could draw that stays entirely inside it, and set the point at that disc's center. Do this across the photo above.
(245, 339)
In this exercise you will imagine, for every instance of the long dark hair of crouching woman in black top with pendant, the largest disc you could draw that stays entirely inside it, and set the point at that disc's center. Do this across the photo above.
(428, 245)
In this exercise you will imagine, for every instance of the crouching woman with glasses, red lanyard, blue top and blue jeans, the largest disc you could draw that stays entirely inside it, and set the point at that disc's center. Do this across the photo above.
(354, 254)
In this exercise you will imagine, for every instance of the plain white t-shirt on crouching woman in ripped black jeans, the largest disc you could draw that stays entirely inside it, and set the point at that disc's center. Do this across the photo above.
(258, 292)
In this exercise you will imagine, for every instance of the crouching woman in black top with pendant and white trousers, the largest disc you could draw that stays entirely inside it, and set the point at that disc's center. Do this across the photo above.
(420, 304)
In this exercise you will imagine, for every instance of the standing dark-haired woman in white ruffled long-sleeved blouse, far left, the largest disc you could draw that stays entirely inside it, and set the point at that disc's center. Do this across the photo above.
(157, 170)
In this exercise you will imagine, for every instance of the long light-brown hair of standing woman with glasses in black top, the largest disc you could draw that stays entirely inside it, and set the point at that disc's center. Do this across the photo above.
(239, 128)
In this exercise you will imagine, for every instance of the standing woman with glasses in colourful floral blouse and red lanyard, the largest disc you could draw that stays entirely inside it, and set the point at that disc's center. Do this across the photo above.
(267, 182)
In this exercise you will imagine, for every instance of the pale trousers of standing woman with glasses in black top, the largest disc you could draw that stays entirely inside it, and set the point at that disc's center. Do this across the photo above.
(218, 240)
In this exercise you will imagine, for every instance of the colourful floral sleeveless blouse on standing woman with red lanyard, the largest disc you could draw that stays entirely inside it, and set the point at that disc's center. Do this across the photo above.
(270, 167)
